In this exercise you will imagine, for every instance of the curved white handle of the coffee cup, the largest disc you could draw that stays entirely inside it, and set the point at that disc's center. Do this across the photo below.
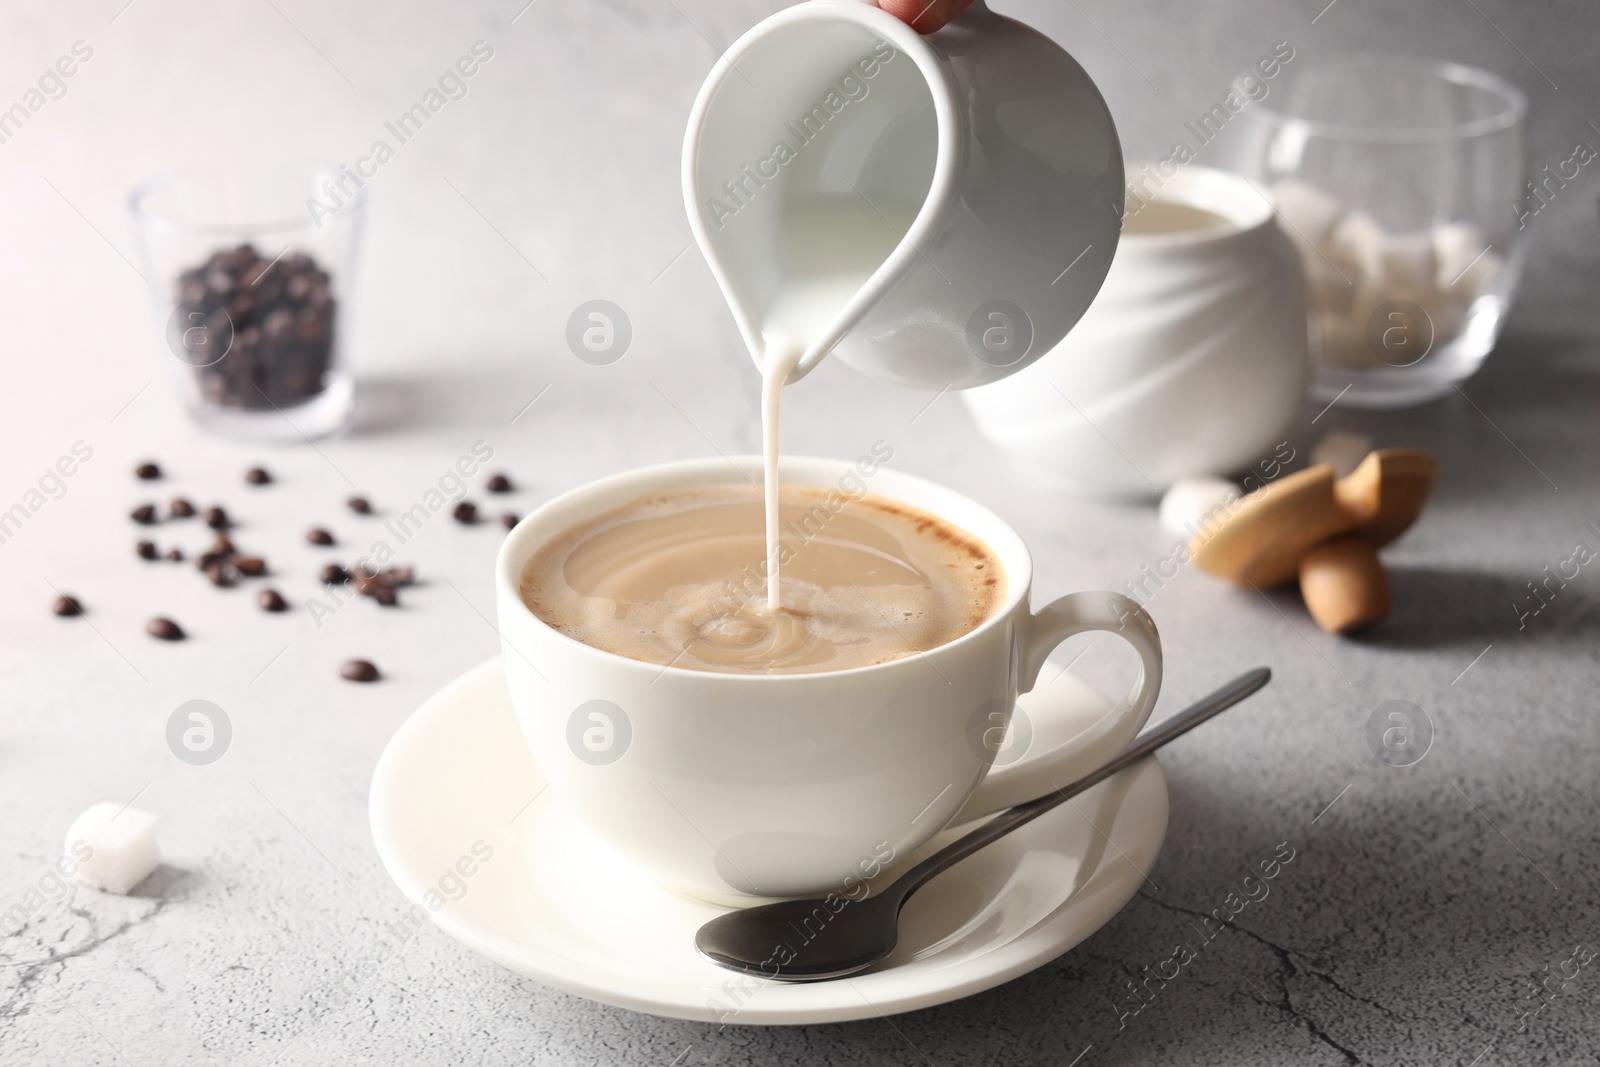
(1038, 775)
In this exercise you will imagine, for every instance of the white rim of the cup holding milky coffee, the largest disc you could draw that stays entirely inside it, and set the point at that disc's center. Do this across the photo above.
(514, 553)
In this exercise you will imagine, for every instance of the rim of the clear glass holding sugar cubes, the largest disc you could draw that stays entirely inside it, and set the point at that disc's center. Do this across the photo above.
(1511, 114)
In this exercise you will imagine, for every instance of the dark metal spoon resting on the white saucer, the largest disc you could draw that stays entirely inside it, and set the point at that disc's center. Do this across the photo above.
(862, 933)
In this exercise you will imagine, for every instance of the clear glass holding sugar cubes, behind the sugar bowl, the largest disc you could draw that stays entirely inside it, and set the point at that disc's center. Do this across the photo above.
(1404, 185)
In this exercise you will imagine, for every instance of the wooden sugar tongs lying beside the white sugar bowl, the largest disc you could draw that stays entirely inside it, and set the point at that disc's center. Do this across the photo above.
(1326, 532)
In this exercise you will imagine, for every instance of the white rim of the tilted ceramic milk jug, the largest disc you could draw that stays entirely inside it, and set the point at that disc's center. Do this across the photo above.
(942, 186)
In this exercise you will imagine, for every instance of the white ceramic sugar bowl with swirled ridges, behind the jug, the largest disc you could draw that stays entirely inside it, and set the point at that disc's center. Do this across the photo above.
(1193, 359)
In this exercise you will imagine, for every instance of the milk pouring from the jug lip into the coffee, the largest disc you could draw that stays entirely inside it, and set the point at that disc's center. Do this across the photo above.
(828, 252)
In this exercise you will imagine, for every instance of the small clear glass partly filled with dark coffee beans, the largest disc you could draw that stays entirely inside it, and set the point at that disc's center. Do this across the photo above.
(252, 273)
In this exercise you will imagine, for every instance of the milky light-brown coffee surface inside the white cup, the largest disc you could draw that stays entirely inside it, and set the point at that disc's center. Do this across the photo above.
(681, 580)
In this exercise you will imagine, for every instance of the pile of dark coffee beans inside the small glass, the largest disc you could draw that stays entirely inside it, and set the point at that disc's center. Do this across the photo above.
(279, 318)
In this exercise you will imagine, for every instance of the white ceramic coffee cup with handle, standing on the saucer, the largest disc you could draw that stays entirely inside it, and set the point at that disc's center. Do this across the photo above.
(730, 786)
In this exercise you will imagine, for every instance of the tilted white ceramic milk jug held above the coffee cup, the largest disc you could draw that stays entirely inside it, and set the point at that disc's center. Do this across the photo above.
(938, 210)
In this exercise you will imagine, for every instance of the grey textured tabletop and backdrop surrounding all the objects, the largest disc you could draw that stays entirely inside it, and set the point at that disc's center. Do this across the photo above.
(1422, 909)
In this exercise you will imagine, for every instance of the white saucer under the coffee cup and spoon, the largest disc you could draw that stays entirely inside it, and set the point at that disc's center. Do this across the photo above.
(559, 906)
